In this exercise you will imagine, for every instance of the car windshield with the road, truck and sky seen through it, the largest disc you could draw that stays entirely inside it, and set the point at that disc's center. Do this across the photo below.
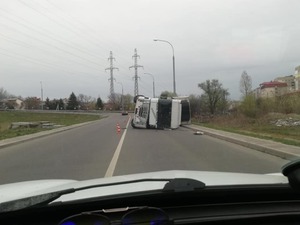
(92, 89)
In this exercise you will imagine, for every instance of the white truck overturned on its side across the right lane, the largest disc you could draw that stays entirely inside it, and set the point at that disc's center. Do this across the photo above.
(160, 113)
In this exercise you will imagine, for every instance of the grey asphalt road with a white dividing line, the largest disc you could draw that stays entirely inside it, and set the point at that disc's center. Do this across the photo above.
(97, 150)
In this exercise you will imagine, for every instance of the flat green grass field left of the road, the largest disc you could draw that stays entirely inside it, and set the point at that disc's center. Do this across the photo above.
(65, 119)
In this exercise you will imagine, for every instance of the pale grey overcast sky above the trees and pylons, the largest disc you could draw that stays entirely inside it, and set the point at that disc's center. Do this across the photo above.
(65, 44)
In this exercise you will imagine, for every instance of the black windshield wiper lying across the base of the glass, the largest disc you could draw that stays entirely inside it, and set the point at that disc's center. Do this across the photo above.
(173, 185)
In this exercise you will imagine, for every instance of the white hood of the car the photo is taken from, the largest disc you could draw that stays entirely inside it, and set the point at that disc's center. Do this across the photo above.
(14, 191)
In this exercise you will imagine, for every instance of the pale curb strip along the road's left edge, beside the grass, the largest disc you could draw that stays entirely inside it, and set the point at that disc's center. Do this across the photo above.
(16, 140)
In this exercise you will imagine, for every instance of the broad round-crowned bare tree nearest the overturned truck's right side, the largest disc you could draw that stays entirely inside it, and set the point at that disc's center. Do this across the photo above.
(215, 96)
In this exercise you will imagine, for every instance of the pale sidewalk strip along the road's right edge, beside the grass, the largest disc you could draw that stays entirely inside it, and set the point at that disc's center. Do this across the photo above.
(284, 151)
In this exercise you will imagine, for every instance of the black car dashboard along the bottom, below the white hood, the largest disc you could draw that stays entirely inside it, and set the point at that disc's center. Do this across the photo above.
(244, 204)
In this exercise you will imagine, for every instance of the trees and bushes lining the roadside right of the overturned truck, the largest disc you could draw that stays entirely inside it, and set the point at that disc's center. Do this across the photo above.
(215, 100)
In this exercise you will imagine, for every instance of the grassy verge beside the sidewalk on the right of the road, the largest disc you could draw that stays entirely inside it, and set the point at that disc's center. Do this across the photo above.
(259, 128)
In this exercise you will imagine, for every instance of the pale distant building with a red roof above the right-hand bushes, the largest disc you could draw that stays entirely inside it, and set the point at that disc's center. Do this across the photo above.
(272, 89)
